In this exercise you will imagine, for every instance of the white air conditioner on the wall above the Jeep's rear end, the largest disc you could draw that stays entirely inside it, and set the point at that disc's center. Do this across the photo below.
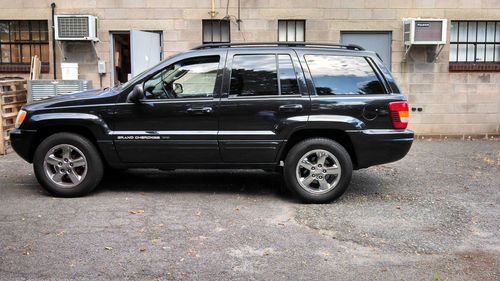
(425, 31)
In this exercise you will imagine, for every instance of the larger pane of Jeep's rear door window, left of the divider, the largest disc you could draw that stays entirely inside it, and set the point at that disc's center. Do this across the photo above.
(254, 75)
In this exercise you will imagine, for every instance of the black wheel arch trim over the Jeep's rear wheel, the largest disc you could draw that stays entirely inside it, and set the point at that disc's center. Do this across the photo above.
(337, 135)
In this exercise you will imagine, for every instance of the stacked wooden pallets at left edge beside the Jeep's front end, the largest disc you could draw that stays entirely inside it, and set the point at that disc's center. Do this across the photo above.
(12, 97)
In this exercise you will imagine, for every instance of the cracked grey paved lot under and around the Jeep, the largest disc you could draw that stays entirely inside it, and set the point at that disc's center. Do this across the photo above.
(431, 216)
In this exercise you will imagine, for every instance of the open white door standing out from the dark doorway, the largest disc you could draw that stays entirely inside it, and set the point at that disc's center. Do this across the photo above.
(145, 50)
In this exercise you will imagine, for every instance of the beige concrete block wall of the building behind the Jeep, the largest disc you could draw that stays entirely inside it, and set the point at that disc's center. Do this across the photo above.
(452, 103)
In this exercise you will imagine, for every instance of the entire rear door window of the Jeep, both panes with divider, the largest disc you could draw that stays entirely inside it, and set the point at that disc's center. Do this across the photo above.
(257, 75)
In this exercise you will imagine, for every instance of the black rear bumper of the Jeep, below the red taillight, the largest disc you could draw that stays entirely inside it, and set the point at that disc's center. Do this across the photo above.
(374, 147)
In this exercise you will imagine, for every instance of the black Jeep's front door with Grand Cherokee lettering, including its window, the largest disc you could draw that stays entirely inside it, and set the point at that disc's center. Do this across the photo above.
(176, 122)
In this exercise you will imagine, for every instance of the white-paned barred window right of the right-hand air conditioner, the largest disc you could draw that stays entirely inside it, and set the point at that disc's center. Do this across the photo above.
(475, 42)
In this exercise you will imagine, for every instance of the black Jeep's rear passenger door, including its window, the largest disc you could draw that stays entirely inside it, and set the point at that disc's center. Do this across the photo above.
(264, 100)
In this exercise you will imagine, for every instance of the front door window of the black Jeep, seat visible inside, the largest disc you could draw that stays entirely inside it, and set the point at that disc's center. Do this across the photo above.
(191, 78)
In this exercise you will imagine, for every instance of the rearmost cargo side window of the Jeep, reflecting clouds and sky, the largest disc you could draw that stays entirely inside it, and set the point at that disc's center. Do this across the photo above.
(343, 75)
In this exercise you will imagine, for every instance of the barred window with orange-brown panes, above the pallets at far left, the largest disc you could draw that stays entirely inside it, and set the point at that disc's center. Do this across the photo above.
(22, 39)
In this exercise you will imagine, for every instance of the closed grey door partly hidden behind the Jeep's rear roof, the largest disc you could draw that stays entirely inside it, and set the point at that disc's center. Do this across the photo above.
(376, 41)
